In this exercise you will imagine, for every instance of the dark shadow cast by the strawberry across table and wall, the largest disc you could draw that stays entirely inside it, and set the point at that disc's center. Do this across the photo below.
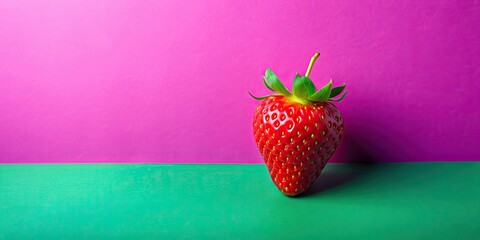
(365, 148)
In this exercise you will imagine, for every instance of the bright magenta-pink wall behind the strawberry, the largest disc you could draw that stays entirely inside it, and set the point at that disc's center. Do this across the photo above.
(167, 81)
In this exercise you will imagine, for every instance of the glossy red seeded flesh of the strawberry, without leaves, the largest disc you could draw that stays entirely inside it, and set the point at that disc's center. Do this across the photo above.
(296, 140)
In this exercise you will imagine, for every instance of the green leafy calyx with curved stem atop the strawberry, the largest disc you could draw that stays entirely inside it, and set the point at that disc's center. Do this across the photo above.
(303, 89)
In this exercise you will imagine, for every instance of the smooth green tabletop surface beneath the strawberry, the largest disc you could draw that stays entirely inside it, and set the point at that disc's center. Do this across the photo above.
(232, 201)
